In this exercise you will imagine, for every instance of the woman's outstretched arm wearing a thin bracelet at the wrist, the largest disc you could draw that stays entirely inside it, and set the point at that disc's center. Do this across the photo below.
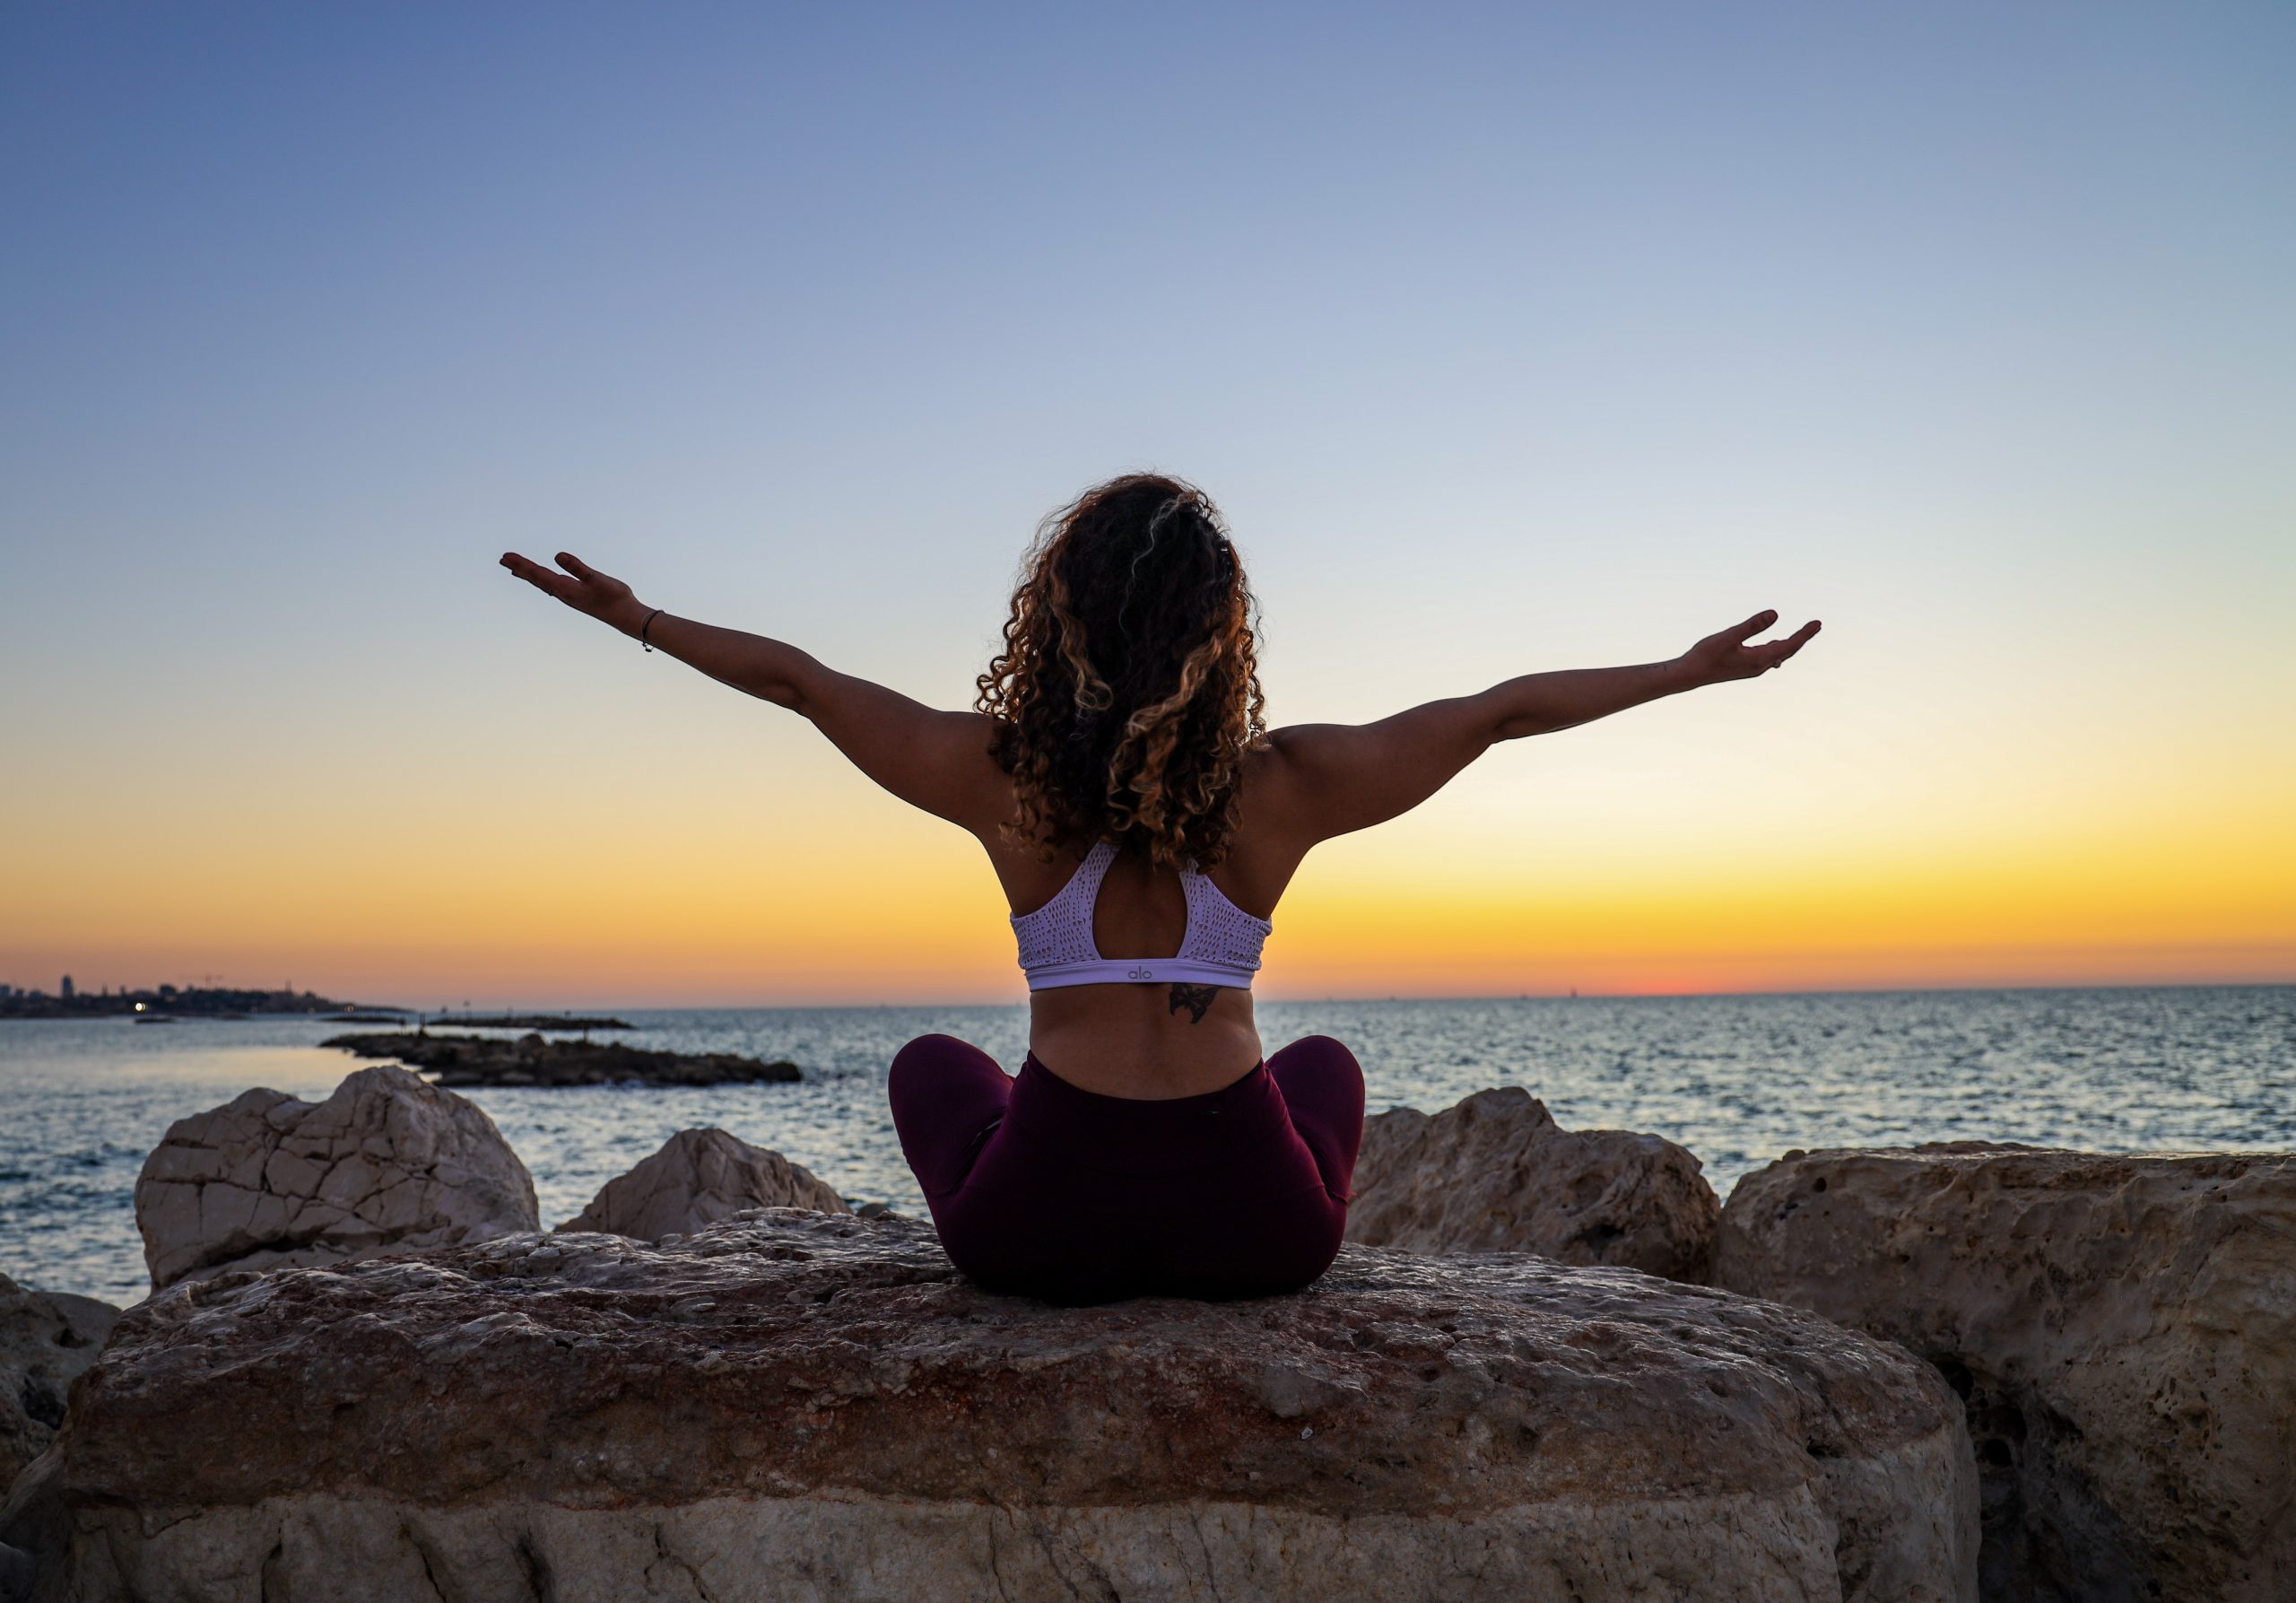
(936, 761)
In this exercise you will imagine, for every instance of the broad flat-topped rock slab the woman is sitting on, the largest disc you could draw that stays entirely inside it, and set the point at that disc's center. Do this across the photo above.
(807, 1407)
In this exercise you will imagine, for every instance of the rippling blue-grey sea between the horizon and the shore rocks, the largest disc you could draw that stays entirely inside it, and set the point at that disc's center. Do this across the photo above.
(1732, 1078)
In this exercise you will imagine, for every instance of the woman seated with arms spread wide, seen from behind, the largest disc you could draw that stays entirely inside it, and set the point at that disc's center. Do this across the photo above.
(1145, 826)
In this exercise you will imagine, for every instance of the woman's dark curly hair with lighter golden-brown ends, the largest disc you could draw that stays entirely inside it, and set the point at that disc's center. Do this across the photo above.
(1128, 688)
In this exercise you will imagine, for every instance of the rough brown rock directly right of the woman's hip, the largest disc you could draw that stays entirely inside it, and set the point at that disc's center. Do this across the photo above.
(1498, 1175)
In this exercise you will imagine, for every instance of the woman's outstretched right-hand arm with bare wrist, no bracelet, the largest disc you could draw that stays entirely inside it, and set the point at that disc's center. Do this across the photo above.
(1331, 780)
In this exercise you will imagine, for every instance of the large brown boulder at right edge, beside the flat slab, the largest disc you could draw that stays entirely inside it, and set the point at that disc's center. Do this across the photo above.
(2123, 1329)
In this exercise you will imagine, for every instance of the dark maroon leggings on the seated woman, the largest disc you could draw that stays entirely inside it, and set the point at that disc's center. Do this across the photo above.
(1046, 1191)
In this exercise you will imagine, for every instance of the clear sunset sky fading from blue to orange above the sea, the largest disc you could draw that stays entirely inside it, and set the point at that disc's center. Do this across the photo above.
(1510, 339)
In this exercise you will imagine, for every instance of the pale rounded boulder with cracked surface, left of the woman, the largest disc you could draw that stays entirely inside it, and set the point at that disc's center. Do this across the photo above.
(385, 1166)
